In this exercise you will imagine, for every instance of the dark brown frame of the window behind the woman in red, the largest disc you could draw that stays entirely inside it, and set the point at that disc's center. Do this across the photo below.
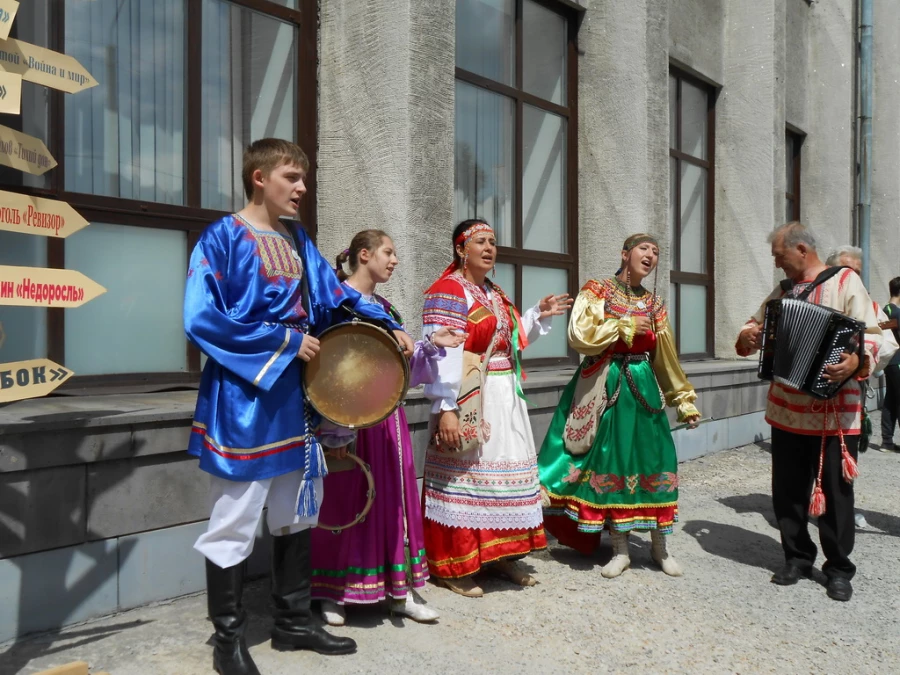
(517, 255)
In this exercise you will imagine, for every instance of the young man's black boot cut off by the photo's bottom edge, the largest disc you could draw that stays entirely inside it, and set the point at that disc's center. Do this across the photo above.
(224, 587)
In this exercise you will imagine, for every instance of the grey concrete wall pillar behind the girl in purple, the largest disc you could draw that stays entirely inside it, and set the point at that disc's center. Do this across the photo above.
(386, 97)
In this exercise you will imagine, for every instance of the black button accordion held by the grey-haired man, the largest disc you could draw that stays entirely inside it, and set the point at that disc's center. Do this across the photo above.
(800, 338)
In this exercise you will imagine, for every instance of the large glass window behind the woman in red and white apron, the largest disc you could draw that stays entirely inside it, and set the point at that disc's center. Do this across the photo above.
(515, 145)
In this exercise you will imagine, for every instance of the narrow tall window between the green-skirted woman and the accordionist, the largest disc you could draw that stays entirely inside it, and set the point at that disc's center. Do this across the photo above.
(691, 128)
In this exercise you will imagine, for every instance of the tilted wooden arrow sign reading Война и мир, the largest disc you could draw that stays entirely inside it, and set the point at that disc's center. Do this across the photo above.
(44, 66)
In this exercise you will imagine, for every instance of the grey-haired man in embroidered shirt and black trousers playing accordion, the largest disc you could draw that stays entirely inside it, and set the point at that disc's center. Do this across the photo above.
(814, 441)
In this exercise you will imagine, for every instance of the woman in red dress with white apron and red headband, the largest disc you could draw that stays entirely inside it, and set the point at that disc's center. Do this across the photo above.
(481, 506)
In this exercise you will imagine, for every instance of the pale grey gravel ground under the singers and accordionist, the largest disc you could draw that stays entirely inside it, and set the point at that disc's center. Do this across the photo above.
(723, 616)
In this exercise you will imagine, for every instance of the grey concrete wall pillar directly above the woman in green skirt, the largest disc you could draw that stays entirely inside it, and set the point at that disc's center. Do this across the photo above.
(623, 126)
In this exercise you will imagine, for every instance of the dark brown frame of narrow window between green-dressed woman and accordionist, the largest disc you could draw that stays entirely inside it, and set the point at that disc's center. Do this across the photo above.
(676, 276)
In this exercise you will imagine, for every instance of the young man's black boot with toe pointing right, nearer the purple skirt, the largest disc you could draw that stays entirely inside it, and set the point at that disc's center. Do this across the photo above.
(291, 591)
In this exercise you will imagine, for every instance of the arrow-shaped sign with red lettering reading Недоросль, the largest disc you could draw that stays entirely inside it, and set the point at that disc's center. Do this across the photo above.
(39, 287)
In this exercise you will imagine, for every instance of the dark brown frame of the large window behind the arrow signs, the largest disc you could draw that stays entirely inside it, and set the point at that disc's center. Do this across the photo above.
(189, 218)
